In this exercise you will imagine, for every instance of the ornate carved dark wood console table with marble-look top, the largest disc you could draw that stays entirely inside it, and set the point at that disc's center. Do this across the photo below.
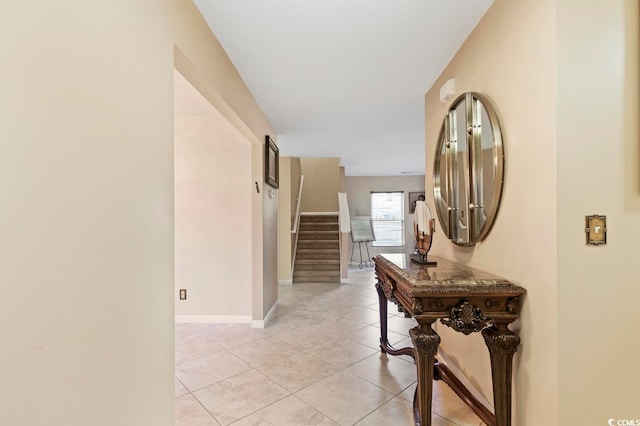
(463, 298)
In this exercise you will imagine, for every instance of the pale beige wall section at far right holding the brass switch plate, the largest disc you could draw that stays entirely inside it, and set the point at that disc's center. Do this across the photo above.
(598, 172)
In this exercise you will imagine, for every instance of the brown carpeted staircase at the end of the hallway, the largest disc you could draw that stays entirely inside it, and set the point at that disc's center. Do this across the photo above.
(318, 253)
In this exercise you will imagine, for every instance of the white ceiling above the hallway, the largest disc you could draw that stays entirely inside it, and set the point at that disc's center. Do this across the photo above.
(344, 78)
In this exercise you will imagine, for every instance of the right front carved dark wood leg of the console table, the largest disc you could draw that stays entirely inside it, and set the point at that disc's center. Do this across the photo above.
(502, 344)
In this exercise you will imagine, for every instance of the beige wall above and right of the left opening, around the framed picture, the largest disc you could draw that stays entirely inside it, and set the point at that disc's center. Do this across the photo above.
(200, 58)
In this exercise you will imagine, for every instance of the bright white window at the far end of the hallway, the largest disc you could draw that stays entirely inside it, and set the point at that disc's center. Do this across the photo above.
(387, 214)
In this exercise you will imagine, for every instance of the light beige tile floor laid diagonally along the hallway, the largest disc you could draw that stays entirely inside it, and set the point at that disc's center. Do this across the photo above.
(316, 363)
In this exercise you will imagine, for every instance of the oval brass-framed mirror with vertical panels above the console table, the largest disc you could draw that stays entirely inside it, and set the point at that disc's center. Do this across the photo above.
(468, 169)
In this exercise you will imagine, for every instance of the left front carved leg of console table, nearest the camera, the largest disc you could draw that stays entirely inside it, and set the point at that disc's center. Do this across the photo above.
(426, 342)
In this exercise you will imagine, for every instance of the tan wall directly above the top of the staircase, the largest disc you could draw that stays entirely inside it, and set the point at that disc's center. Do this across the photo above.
(321, 184)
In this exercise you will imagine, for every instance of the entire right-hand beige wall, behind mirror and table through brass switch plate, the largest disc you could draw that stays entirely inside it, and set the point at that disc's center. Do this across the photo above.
(566, 91)
